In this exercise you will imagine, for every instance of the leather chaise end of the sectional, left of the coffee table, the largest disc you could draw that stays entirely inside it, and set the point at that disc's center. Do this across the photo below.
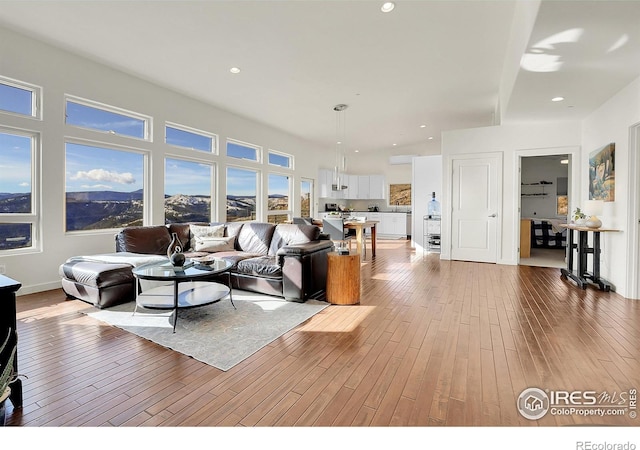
(101, 284)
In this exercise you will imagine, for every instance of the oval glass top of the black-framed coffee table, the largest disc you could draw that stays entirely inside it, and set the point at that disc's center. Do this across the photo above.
(191, 269)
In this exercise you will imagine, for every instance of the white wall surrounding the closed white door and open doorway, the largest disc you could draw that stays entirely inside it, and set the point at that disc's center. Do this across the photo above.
(514, 142)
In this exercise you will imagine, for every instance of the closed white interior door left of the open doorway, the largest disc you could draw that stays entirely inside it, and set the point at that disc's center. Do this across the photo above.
(474, 213)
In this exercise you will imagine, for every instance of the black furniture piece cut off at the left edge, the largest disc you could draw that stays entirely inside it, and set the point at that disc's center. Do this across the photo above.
(8, 289)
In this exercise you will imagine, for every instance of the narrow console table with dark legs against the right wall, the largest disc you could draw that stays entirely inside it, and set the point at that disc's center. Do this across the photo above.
(582, 276)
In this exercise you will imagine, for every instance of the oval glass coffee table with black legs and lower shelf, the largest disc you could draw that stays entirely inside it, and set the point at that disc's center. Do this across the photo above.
(192, 285)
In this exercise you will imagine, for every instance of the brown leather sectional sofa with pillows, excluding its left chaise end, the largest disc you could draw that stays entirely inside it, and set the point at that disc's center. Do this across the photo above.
(285, 260)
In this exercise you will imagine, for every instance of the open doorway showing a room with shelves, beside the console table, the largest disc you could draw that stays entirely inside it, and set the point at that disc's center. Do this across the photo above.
(544, 206)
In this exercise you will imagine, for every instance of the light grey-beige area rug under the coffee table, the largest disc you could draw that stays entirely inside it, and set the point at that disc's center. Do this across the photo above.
(215, 334)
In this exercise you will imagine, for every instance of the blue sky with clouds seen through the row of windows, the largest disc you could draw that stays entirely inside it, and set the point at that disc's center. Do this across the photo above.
(92, 168)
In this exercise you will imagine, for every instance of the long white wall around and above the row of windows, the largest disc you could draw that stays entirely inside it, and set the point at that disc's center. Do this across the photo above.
(59, 73)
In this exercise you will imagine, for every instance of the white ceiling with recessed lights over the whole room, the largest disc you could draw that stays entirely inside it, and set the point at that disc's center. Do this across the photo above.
(445, 64)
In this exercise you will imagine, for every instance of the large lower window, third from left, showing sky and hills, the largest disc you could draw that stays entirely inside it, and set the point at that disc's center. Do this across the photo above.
(187, 191)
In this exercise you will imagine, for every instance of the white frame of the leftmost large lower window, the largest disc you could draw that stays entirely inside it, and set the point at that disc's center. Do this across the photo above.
(34, 217)
